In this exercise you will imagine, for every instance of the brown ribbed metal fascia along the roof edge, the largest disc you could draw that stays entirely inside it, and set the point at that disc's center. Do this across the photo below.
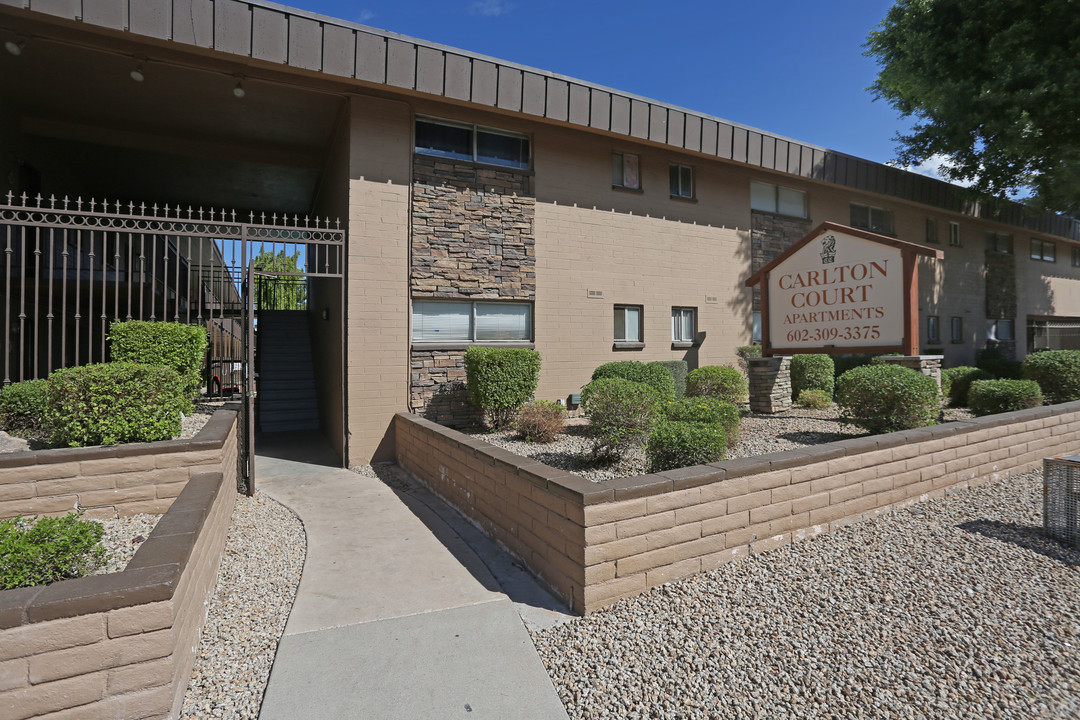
(309, 43)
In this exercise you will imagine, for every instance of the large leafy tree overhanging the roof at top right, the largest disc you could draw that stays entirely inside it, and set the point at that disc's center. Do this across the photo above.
(995, 88)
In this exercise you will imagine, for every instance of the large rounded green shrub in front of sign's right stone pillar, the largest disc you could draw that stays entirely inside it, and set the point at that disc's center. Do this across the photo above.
(884, 399)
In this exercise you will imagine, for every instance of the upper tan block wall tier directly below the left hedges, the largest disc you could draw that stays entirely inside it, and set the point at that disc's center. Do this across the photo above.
(118, 480)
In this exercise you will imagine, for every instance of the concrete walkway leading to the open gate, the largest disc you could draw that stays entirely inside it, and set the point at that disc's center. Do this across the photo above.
(404, 612)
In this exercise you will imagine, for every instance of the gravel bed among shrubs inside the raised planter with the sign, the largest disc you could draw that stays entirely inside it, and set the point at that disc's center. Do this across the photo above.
(760, 434)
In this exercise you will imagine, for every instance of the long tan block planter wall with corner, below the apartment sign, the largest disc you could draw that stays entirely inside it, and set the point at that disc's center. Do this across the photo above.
(598, 542)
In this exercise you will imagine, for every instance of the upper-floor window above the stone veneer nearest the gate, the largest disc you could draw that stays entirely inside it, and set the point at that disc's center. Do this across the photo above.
(447, 139)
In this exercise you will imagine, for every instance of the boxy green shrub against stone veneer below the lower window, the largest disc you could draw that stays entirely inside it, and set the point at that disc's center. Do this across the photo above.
(501, 381)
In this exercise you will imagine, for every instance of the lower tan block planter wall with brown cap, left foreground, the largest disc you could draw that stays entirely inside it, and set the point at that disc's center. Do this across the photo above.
(123, 645)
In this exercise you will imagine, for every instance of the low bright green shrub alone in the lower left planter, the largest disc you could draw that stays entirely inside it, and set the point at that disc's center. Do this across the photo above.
(49, 550)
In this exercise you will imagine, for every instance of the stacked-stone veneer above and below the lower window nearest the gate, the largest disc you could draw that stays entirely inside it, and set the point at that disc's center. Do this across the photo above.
(472, 238)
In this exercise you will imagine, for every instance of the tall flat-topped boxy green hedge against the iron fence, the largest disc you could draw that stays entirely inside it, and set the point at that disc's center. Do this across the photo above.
(177, 346)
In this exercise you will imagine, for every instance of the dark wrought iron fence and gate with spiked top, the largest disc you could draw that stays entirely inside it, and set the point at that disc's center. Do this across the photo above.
(73, 267)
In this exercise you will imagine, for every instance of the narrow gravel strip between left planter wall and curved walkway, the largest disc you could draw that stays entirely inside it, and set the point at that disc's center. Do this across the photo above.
(256, 586)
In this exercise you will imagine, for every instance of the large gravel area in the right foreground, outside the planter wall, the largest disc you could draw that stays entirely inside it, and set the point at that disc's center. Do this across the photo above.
(955, 608)
